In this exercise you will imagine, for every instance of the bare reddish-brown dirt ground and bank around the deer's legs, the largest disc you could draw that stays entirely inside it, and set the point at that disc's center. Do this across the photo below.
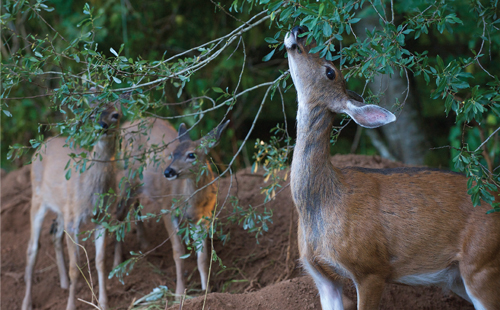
(257, 276)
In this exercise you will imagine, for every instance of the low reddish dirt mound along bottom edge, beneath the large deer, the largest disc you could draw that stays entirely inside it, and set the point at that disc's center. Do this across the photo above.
(301, 293)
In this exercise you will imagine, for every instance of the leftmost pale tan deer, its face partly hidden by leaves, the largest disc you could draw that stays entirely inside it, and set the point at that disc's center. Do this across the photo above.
(73, 201)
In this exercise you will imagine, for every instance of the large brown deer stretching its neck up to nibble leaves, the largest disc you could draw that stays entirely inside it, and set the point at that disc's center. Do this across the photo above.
(415, 226)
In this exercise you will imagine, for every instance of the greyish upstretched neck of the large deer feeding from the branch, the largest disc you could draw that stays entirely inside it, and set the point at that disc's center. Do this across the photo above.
(314, 180)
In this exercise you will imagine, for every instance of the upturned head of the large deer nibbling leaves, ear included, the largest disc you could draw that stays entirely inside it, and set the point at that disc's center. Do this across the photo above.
(319, 82)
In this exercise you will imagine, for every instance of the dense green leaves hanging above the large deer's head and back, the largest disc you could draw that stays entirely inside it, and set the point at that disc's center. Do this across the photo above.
(391, 48)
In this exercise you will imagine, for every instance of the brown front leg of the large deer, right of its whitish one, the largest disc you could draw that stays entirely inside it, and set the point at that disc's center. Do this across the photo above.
(370, 289)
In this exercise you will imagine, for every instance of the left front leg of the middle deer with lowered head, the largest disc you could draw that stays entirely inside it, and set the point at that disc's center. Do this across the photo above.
(178, 251)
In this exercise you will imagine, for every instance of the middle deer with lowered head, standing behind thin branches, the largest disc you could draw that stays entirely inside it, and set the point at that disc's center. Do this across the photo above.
(178, 180)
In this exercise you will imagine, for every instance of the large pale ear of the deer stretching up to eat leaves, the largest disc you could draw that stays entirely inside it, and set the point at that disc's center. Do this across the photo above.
(368, 115)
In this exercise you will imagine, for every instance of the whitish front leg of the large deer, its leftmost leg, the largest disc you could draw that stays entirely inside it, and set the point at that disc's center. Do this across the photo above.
(330, 292)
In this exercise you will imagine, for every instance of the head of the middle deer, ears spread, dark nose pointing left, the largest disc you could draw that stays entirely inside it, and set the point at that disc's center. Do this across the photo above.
(189, 155)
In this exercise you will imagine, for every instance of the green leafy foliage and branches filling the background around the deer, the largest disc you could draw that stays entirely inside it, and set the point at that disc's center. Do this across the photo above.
(206, 71)
